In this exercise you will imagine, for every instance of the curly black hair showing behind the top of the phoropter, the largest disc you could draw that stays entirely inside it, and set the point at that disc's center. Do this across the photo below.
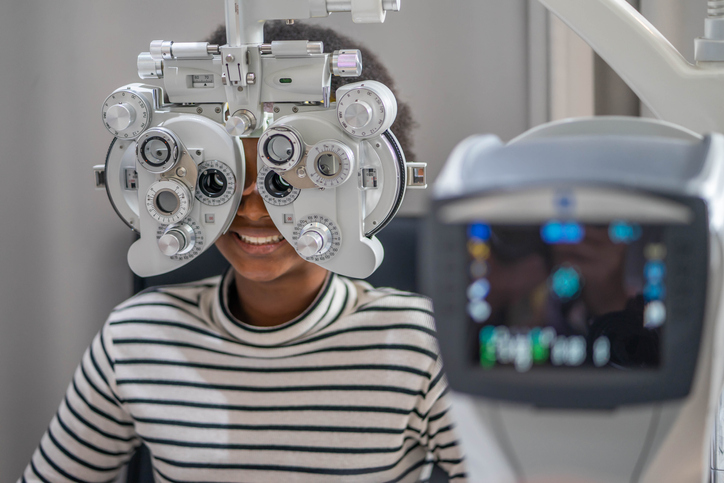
(372, 69)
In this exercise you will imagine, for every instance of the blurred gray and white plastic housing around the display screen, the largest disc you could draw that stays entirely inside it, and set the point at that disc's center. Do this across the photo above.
(658, 435)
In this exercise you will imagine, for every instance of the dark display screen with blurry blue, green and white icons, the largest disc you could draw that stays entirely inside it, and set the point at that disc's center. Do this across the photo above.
(565, 294)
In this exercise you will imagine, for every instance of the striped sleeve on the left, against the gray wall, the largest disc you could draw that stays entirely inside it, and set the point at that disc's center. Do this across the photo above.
(92, 436)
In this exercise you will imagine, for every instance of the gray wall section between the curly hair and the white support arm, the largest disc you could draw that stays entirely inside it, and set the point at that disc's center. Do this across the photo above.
(463, 71)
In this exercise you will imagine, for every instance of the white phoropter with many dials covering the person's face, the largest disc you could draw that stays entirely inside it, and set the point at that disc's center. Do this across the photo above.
(331, 174)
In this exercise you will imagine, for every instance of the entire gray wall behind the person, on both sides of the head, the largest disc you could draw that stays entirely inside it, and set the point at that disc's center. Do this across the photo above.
(464, 70)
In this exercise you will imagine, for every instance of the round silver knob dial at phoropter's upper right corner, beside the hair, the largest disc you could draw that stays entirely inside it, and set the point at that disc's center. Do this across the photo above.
(366, 110)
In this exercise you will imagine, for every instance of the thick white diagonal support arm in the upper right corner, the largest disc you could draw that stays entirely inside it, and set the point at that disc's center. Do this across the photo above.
(674, 89)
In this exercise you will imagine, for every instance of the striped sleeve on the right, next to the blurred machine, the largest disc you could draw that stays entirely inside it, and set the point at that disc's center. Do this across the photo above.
(439, 429)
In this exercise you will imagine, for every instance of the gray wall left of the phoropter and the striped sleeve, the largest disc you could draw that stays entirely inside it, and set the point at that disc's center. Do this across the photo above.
(62, 263)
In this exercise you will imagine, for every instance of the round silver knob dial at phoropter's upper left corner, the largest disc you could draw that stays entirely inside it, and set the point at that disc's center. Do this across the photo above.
(126, 114)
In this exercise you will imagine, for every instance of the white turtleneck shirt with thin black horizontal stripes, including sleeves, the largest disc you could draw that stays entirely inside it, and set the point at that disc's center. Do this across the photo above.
(351, 390)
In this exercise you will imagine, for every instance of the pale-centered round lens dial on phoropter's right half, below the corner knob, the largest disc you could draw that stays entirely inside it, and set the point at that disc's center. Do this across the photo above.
(329, 163)
